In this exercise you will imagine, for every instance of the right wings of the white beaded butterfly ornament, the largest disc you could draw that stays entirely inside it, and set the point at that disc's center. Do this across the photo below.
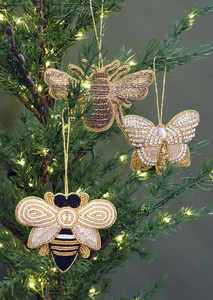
(180, 130)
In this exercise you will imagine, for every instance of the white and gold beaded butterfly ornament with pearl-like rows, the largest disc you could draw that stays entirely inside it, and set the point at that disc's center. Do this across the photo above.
(159, 145)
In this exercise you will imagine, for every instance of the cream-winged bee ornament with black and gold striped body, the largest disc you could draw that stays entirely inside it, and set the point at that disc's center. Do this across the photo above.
(65, 225)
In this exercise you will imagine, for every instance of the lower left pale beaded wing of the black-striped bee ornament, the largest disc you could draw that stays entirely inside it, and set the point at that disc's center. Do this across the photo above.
(42, 235)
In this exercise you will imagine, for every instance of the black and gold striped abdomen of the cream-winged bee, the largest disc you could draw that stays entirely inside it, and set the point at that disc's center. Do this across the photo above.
(64, 249)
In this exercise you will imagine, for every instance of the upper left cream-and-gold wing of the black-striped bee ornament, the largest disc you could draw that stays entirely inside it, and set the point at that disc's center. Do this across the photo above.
(33, 211)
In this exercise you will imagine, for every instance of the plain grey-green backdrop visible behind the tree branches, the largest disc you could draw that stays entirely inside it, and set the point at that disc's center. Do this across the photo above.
(187, 253)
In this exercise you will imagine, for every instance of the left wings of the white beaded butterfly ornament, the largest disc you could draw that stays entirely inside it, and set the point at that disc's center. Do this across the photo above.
(142, 135)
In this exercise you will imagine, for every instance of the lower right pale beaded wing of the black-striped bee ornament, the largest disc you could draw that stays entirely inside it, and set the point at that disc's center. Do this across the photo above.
(87, 236)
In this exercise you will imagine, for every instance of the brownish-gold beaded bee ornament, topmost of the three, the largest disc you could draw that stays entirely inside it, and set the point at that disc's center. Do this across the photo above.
(110, 89)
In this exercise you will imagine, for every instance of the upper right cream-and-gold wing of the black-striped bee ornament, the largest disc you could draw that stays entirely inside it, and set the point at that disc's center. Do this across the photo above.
(97, 214)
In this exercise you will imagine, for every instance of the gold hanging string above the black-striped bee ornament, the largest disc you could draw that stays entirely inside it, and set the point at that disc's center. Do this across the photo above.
(66, 149)
